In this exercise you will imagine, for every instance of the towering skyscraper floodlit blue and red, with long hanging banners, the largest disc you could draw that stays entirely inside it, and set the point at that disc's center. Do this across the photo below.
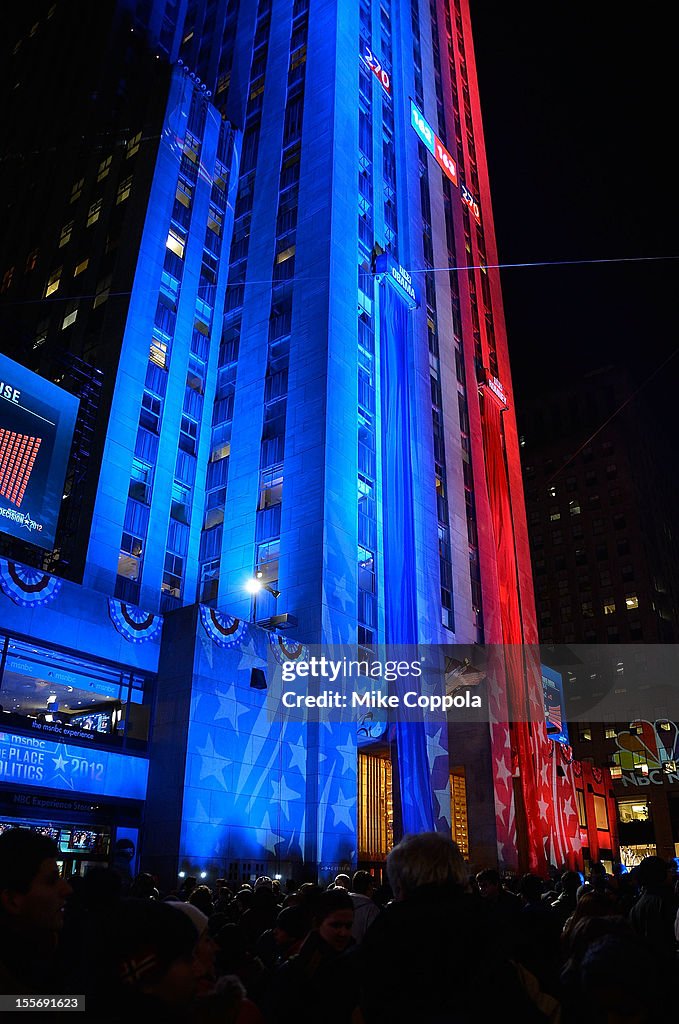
(242, 260)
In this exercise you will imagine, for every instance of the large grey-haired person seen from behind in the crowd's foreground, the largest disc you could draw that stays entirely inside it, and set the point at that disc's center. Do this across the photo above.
(433, 955)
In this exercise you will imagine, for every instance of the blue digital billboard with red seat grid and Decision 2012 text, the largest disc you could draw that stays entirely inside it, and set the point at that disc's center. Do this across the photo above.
(37, 420)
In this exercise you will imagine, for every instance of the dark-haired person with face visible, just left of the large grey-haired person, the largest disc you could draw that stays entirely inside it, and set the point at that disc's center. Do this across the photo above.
(316, 986)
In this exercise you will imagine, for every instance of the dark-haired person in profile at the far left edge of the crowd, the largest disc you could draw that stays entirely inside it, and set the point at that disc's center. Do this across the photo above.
(33, 897)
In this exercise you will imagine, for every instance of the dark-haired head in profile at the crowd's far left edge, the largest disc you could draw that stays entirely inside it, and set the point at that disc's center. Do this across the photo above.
(32, 892)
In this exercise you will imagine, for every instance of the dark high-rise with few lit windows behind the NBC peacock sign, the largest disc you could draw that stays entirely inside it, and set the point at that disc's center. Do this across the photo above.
(602, 501)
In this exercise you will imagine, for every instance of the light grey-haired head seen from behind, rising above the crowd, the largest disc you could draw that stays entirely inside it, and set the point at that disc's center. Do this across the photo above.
(425, 860)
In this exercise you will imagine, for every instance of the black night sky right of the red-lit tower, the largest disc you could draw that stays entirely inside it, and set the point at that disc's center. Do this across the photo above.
(579, 108)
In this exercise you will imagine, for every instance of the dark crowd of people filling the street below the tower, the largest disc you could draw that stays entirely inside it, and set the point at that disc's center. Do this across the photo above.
(437, 945)
